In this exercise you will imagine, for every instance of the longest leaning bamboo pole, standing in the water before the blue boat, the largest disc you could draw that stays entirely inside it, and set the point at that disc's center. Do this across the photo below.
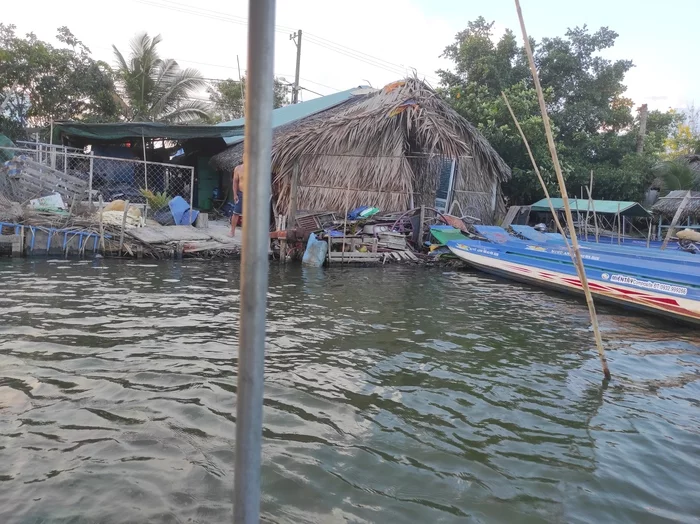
(578, 260)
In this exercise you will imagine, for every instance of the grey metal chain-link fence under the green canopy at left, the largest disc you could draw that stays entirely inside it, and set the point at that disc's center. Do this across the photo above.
(109, 177)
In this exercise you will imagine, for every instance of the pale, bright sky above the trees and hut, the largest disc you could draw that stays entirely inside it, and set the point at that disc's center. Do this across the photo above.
(360, 42)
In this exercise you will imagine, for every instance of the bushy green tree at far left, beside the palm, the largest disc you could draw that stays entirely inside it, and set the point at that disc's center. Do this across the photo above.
(44, 83)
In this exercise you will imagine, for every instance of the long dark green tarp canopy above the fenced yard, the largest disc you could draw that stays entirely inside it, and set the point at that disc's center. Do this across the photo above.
(124, 131)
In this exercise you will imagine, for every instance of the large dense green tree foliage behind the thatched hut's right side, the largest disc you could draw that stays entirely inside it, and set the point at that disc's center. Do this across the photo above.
(593, 121)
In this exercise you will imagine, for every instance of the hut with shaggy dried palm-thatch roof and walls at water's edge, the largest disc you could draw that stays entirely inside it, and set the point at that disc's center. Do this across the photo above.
(386, 148)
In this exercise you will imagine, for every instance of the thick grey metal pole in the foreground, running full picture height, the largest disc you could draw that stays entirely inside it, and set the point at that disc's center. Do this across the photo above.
(254, 259)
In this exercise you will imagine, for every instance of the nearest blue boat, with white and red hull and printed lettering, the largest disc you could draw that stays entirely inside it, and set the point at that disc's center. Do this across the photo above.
(664, 288)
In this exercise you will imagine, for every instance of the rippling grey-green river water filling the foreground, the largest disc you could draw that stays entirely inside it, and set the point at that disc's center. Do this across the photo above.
(393, 395)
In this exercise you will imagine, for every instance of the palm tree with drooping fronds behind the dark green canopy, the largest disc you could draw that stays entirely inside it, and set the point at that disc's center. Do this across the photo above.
(156, 89)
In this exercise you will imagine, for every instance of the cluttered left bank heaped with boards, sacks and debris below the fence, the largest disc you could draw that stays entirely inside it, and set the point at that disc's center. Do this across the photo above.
(53, 212)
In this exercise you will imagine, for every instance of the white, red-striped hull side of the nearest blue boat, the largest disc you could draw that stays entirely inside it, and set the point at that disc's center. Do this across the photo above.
(604, 286)
